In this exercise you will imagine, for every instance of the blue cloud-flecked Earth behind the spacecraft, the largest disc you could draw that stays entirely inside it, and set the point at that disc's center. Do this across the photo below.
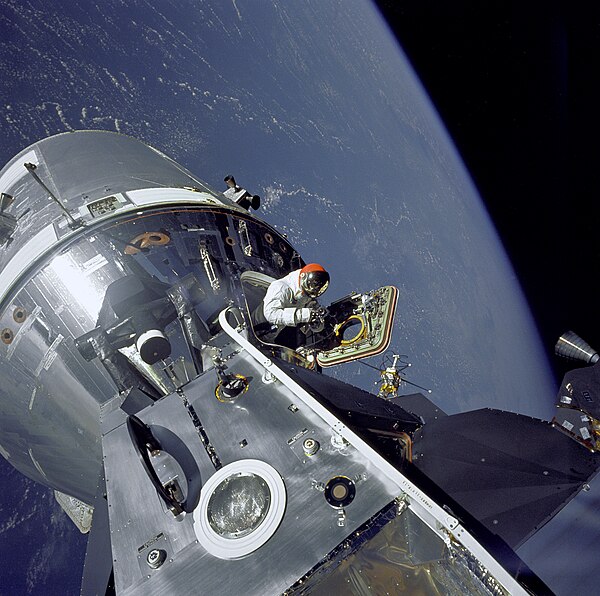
(313, 106)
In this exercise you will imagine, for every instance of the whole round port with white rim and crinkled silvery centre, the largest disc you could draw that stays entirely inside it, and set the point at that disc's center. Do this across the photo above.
(241, 507)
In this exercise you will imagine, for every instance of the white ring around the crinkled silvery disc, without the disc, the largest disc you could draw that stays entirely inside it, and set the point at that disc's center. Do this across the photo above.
(234, 548)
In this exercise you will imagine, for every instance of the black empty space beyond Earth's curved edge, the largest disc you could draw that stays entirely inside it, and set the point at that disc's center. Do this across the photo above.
(514, 85)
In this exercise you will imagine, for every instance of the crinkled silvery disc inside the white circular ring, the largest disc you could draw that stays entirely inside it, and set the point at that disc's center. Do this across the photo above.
(239, 505)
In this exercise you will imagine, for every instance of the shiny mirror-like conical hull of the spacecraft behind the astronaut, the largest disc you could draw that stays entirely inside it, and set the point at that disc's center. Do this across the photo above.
(70, 332)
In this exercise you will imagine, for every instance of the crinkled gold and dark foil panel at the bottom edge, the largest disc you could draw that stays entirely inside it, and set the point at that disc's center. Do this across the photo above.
(397, 553)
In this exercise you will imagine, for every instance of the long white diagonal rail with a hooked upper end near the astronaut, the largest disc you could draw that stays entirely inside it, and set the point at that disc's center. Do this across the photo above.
(443, 524)
